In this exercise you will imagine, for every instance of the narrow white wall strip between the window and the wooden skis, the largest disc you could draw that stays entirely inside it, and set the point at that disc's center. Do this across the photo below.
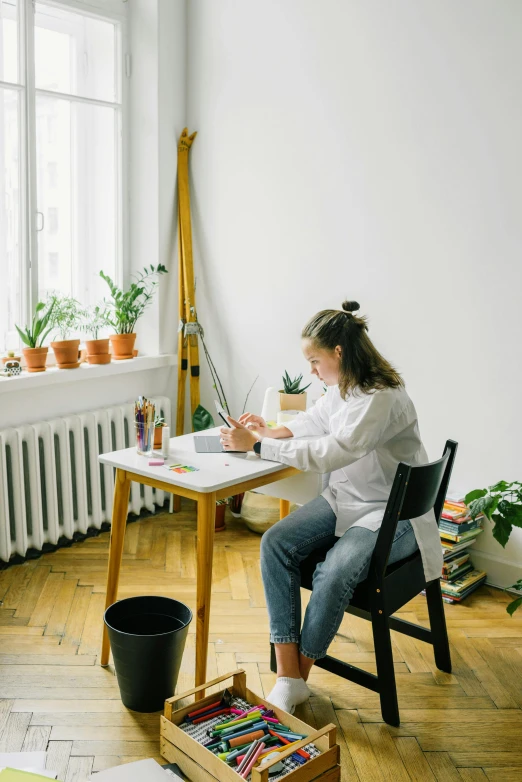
(157, 114)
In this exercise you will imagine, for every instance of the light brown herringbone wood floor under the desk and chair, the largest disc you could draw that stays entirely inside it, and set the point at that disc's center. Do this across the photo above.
(463, 726)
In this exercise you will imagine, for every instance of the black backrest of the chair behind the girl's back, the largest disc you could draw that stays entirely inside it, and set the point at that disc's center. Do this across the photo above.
(415, 491)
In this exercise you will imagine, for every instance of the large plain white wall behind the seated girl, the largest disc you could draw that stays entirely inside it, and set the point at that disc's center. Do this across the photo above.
(367, 150)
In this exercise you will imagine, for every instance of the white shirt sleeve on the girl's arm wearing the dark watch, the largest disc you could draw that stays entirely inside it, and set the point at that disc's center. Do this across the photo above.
(366, 426)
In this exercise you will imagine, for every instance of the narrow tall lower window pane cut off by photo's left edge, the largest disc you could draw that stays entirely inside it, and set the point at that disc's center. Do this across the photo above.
(10, 203)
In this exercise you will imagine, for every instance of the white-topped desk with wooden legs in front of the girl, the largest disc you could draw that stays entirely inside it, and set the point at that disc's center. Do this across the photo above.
(220, 475)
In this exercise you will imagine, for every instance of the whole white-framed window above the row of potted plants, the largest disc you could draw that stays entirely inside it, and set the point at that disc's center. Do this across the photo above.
(61, 118)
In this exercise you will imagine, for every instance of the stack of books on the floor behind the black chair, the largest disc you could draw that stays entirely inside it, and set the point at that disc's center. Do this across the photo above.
(458, 531)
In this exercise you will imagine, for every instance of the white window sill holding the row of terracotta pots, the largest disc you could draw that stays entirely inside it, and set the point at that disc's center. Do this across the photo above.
(53, 375)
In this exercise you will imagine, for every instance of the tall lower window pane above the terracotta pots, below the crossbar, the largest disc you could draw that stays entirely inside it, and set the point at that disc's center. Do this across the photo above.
(78, 202)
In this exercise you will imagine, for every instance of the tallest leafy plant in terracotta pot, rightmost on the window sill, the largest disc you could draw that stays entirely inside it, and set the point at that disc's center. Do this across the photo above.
(126, 307)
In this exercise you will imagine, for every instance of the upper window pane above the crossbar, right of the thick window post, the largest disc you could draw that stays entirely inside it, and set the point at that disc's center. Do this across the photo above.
(75, 54)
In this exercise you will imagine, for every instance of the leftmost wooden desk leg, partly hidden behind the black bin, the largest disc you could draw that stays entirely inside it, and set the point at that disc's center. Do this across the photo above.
(120, 509)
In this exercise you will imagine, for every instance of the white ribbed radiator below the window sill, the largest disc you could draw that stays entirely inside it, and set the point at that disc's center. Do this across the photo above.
(51, 483)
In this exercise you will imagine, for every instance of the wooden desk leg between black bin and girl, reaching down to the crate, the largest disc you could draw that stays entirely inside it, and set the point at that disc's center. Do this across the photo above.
(205, 553)
